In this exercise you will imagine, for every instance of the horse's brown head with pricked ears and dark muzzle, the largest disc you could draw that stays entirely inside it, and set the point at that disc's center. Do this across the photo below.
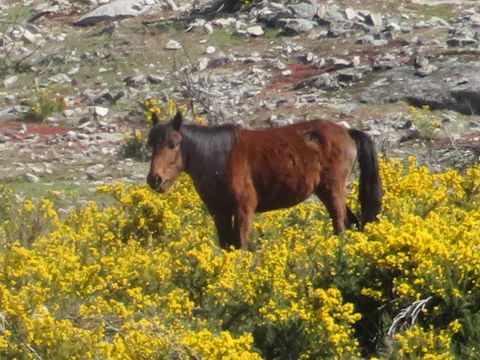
(167, 161)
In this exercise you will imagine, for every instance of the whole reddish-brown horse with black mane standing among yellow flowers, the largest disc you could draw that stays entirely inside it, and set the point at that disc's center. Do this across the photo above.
(238, 172)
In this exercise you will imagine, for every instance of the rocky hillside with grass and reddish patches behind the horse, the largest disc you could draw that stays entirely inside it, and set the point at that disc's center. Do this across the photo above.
(407, 72)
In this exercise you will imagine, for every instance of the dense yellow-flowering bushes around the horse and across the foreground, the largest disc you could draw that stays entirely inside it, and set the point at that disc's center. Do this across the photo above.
(145, 279)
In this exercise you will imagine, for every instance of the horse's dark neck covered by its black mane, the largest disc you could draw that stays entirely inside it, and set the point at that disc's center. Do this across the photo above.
(205, 151)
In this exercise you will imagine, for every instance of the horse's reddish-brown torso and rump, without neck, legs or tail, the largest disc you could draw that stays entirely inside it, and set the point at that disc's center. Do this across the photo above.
(286, 164)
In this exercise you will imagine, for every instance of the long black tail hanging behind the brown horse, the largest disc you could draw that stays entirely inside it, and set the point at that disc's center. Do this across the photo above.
(370, 187)
